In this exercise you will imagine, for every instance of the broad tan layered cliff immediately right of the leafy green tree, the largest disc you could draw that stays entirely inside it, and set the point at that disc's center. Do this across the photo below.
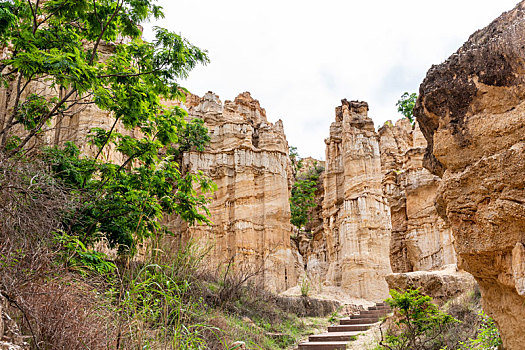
(248, 160)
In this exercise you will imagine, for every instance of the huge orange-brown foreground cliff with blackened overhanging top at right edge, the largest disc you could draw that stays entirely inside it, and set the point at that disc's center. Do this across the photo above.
(471, 110)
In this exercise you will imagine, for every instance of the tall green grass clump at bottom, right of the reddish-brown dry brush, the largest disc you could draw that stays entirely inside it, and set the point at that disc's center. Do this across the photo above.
(158, 302)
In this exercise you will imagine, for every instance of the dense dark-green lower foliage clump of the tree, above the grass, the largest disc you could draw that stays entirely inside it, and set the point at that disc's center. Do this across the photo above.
(127, 205)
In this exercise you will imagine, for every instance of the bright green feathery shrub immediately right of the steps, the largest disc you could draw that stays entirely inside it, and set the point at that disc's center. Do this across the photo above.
(418, 324)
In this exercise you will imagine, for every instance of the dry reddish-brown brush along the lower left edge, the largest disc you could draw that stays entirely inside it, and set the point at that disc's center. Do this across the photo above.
(56, 308)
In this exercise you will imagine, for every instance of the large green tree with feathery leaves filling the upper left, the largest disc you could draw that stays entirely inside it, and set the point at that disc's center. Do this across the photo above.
(90, 52)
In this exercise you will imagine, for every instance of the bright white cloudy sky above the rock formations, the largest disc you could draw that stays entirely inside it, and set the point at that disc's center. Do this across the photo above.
(300, 58)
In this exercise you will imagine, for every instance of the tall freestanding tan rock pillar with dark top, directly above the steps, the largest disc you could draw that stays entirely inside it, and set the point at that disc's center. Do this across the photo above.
(353, 251)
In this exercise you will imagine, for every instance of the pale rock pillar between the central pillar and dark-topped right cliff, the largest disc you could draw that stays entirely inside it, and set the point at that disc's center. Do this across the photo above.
(421, 239)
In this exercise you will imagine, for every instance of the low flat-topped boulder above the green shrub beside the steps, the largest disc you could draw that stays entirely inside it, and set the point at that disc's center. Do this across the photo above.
(442, 285)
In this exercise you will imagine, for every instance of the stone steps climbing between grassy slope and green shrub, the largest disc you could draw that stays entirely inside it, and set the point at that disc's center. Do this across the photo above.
(339, 336)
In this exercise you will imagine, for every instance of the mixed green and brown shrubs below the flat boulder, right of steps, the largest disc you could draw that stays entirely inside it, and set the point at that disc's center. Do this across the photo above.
(419, 324)
